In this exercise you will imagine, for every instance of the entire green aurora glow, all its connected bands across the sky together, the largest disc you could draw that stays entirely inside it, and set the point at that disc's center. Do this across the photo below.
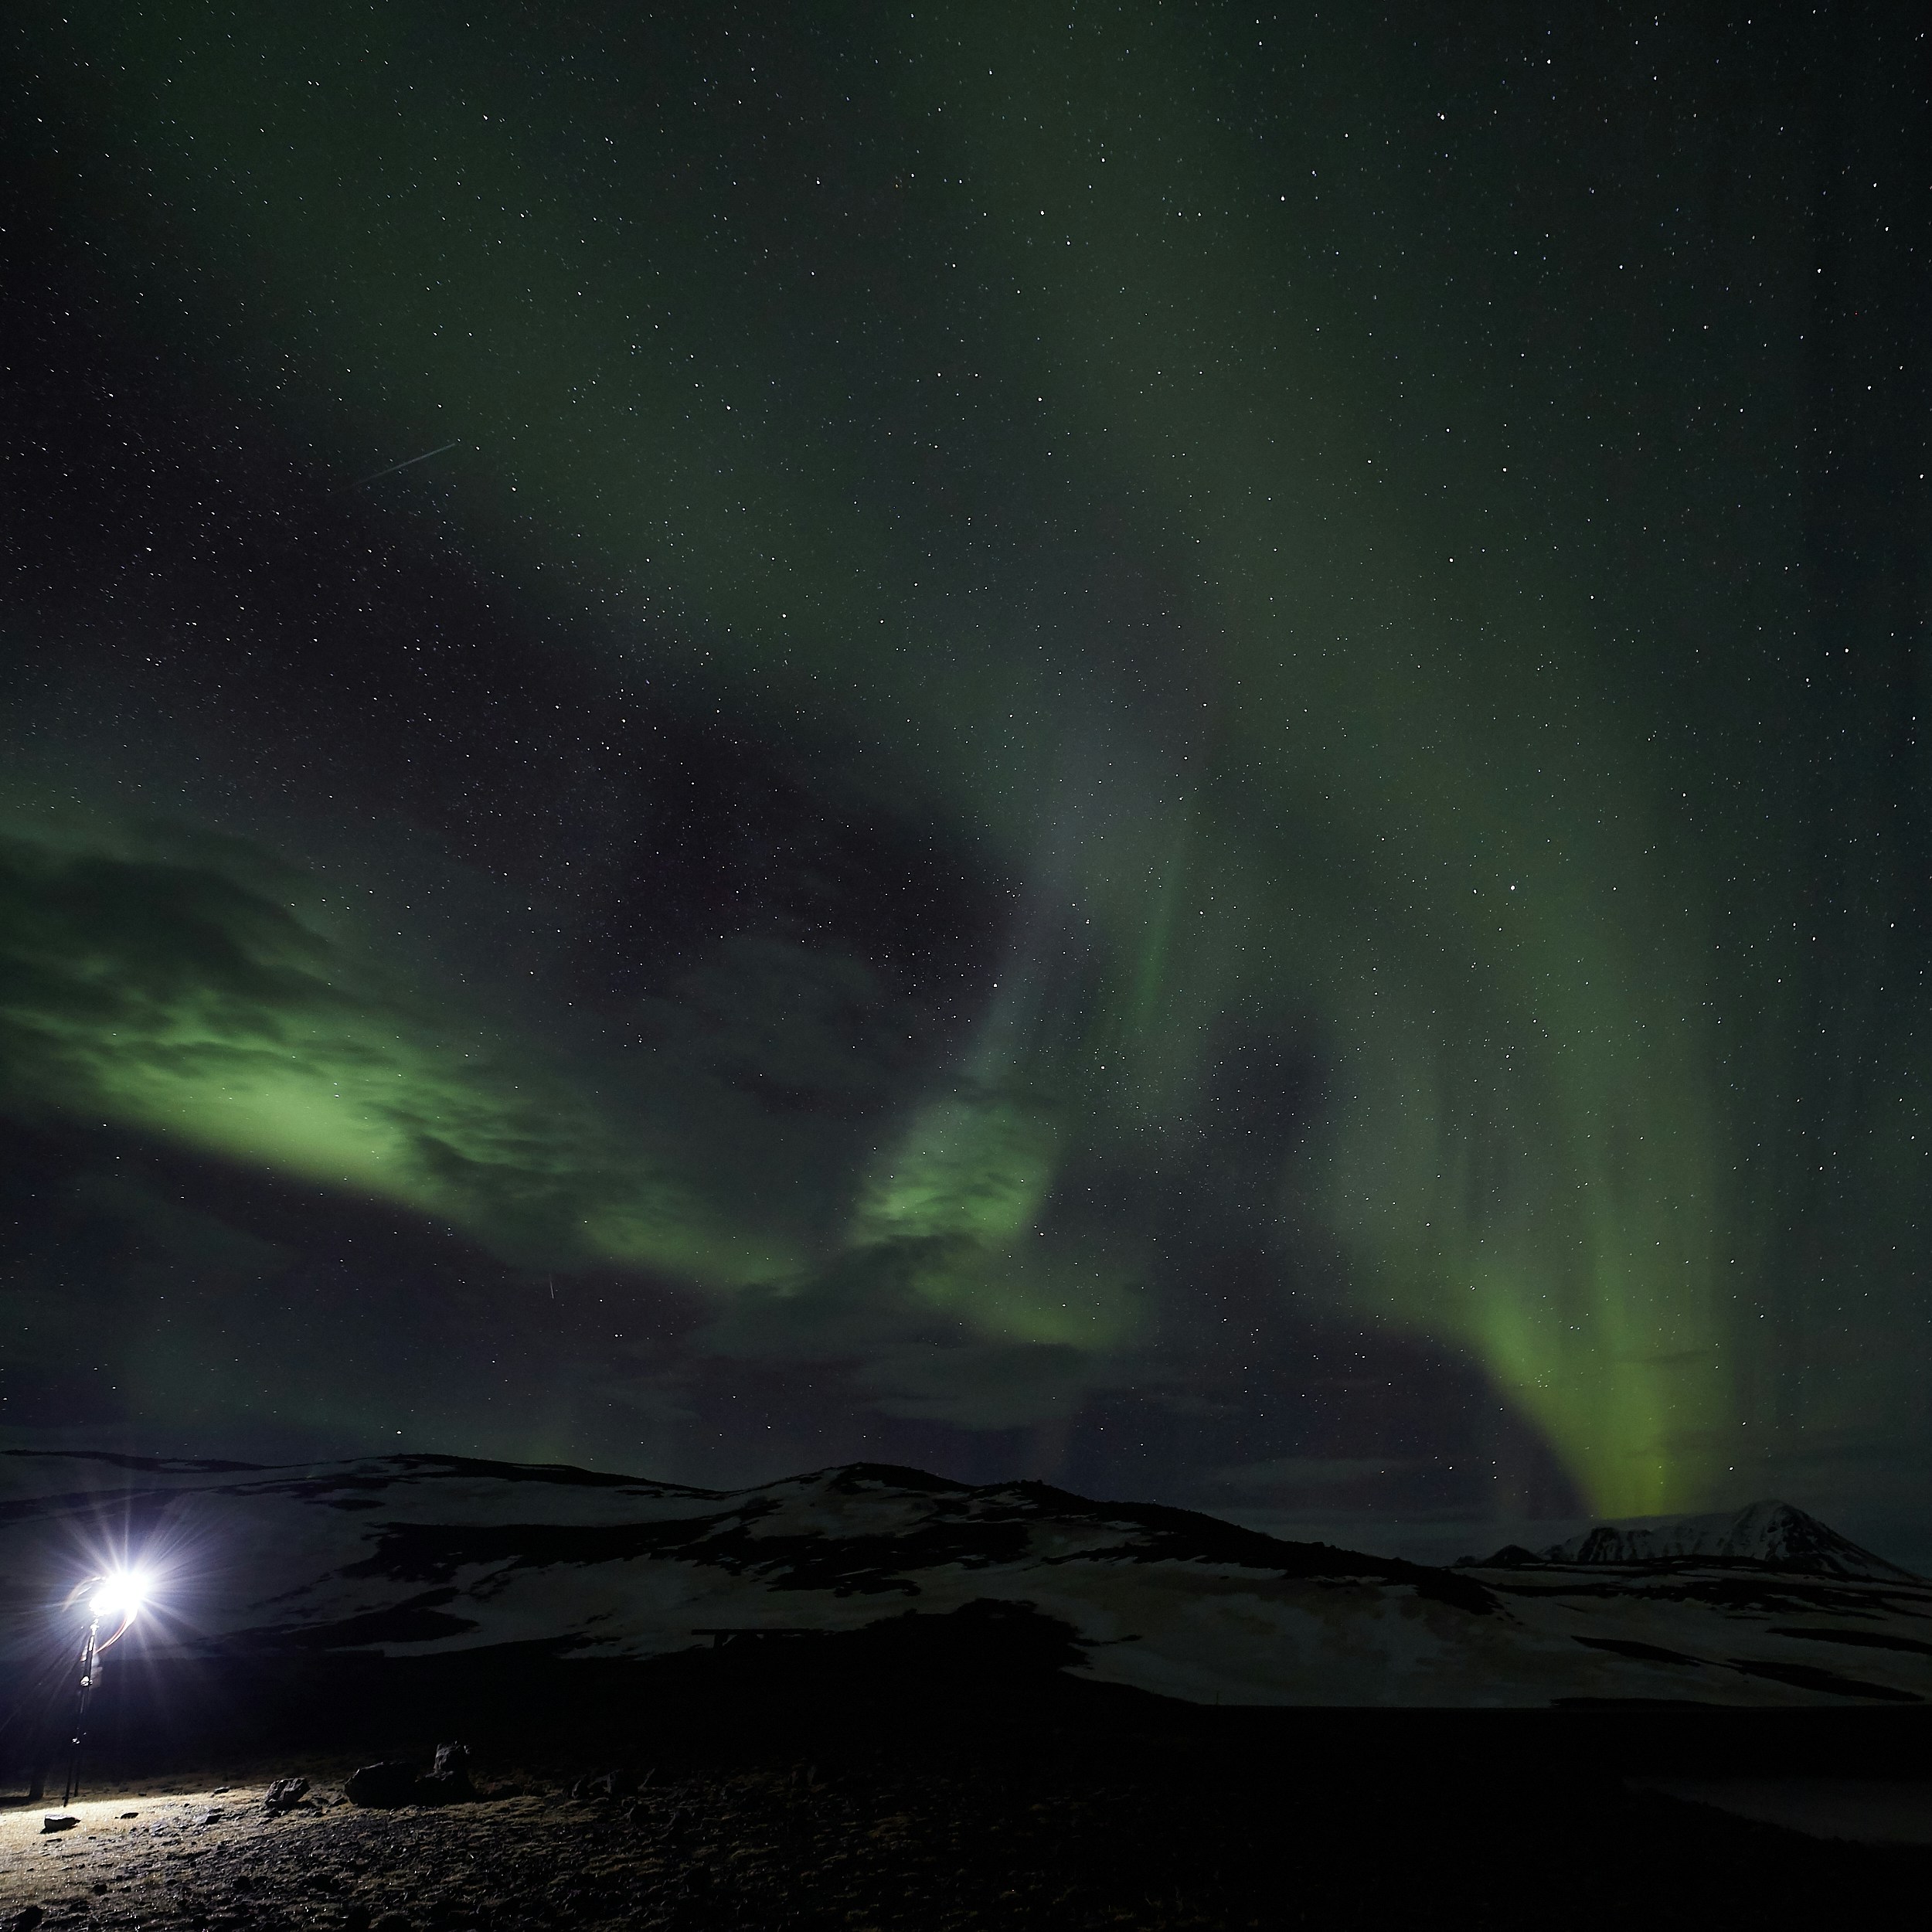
(1377, 754)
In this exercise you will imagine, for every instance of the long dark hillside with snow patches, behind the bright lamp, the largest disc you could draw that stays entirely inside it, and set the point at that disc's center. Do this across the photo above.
(422, 1556)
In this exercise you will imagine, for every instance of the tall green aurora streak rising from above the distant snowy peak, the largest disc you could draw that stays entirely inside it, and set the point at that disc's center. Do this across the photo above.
(1527, 1160)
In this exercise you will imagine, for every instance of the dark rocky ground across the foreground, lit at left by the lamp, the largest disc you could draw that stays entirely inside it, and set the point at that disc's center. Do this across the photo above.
(924, 1848)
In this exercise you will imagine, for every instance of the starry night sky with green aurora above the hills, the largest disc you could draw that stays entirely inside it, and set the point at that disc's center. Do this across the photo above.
(1129, 745)
